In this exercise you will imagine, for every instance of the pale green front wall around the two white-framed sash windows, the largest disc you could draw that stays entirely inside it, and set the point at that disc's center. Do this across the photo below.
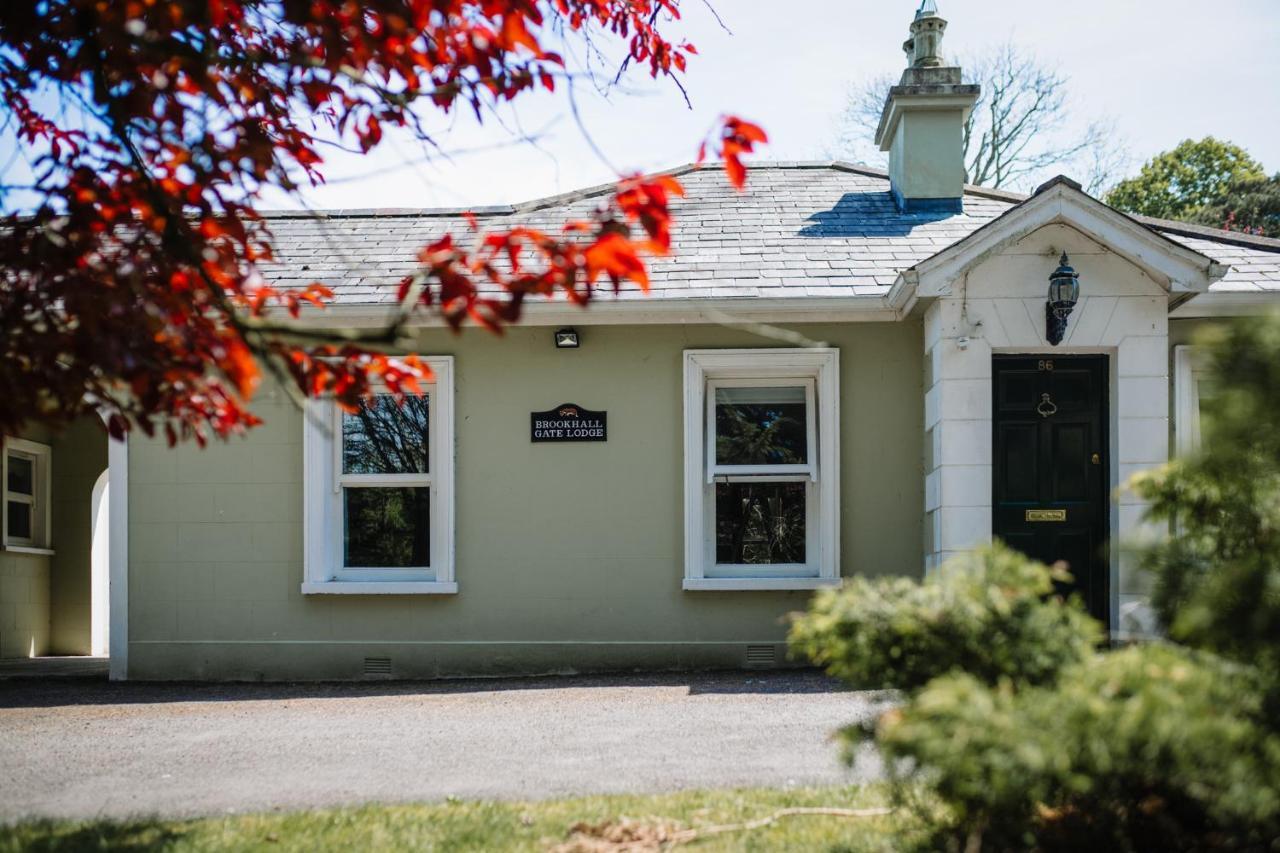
(569, 556)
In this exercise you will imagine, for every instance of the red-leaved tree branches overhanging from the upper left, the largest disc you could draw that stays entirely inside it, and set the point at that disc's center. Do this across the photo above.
(153, 127)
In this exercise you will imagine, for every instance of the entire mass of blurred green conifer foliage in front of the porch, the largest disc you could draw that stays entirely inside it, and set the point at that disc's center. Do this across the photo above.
(1034, 738)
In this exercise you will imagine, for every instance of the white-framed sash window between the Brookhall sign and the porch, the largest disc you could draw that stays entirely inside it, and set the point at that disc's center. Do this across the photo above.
(761, 469)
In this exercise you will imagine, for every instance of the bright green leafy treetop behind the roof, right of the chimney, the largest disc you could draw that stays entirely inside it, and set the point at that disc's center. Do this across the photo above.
(1178, 184)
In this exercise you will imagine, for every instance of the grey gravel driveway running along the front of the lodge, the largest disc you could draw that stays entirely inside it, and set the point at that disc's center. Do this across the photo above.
(84, 749)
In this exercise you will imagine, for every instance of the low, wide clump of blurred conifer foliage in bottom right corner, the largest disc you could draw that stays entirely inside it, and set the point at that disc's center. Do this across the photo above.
(1148, 749)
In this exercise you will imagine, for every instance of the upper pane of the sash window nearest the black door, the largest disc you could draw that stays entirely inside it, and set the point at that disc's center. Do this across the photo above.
(761, 426)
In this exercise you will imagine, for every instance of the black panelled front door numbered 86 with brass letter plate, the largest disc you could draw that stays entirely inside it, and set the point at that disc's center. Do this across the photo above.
(1050, 477)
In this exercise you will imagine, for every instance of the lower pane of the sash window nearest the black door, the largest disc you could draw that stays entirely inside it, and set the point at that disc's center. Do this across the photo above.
(760, 523)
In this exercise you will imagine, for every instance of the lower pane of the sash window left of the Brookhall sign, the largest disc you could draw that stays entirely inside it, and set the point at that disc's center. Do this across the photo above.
(387, 528)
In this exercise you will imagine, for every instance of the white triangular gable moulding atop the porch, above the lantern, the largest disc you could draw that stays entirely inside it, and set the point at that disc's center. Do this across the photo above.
(1180, 271)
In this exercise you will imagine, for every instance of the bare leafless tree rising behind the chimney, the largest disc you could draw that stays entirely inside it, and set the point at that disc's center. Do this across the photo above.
(1021, 130)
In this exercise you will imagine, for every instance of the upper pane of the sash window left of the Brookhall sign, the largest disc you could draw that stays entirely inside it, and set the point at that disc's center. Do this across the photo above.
(386, 439)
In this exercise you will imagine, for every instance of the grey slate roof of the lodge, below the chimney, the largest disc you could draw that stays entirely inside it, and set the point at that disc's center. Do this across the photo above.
(802, 230)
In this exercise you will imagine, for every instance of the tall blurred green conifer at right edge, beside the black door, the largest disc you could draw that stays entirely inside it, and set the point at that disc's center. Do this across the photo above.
(1218, 583)
